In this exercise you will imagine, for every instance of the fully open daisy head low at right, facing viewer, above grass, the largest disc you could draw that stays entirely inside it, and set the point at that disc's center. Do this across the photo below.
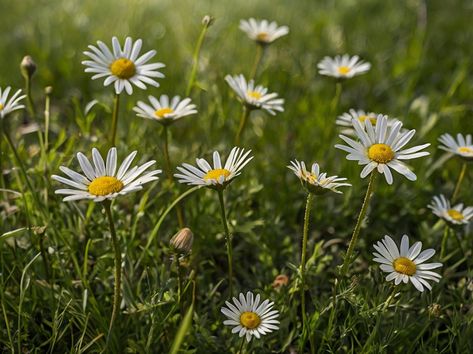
(406, 264)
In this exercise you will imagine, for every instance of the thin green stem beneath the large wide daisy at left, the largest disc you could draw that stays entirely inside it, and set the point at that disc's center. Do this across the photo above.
(118, 267)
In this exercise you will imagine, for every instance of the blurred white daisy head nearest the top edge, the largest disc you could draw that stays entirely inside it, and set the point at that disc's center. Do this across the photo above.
(263, 32)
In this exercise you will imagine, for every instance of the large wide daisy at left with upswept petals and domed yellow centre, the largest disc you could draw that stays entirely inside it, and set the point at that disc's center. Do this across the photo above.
(103, 181)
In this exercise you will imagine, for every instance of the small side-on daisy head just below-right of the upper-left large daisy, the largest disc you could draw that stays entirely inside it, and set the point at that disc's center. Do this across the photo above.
(163, 110)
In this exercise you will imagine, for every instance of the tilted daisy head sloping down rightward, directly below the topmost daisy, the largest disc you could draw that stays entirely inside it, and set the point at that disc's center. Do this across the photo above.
(255, 97)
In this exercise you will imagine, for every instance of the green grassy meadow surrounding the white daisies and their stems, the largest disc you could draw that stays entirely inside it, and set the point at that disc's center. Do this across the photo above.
(421, 57)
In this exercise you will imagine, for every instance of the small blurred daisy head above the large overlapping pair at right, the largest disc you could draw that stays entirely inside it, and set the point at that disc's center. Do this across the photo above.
(343, 67)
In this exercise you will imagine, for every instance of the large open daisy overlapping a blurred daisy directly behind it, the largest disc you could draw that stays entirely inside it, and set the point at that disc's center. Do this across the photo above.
(380, 148)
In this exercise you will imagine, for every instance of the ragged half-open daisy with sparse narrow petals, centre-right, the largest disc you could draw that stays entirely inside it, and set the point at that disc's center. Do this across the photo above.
(315, 181)
